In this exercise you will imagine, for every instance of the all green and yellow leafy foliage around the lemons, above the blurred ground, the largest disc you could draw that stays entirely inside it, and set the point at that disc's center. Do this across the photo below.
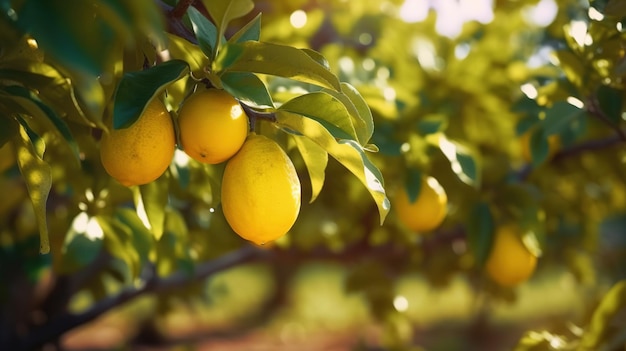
(389, 100)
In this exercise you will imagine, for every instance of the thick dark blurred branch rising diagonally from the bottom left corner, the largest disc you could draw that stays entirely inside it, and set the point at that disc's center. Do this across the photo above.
(55, 328)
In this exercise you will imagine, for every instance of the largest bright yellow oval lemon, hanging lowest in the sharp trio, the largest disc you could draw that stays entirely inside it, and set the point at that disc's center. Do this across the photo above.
(260, 191)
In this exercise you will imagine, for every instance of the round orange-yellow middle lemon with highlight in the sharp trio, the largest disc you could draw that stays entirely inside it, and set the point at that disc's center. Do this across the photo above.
(213, 126)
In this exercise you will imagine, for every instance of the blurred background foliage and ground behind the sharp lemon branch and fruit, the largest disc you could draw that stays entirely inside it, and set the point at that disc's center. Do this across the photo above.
(516, 107)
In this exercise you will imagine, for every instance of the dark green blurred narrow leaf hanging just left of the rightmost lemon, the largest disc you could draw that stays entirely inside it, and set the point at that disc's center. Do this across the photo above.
(480, 228)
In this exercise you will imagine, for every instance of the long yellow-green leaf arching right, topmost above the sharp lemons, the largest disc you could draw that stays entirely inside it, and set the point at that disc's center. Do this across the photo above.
(283, 61)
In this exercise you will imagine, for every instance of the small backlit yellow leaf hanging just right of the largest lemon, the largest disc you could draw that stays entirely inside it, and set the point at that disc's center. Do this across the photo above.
(316, 160)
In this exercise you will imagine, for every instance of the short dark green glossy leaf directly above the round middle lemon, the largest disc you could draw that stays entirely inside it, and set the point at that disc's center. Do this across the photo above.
(247, 88)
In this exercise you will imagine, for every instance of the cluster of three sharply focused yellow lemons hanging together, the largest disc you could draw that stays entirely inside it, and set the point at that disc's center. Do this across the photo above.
(260, 188)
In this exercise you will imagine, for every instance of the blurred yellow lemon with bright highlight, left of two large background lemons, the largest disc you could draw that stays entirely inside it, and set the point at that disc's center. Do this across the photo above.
(429, 209)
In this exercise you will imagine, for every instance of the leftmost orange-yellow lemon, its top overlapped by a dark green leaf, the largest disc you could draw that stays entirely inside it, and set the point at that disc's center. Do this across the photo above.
(140, 153)
